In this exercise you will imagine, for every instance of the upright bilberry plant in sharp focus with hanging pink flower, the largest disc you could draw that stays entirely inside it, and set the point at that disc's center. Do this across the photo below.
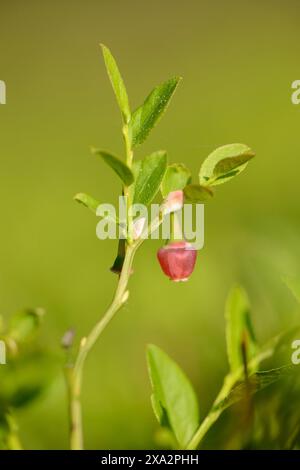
(141, 181)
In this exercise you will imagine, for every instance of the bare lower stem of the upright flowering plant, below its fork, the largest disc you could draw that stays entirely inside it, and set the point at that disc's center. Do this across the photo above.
(74, 373)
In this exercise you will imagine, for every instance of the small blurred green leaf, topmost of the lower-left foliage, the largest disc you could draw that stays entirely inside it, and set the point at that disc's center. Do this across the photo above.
(24, 324)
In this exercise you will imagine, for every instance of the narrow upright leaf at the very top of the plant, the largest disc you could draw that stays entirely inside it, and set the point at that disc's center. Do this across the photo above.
(117, 83)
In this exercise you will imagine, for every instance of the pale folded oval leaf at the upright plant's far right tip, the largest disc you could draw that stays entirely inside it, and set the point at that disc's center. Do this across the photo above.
(224, 163)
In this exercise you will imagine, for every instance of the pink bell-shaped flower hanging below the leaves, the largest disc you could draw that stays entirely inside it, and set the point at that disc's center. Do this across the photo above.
(177, 260)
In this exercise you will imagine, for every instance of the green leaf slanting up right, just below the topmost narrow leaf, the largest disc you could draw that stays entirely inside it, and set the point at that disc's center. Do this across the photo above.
(147, 115)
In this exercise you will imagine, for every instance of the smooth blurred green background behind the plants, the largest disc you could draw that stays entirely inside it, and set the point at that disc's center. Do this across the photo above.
(238, 60)
